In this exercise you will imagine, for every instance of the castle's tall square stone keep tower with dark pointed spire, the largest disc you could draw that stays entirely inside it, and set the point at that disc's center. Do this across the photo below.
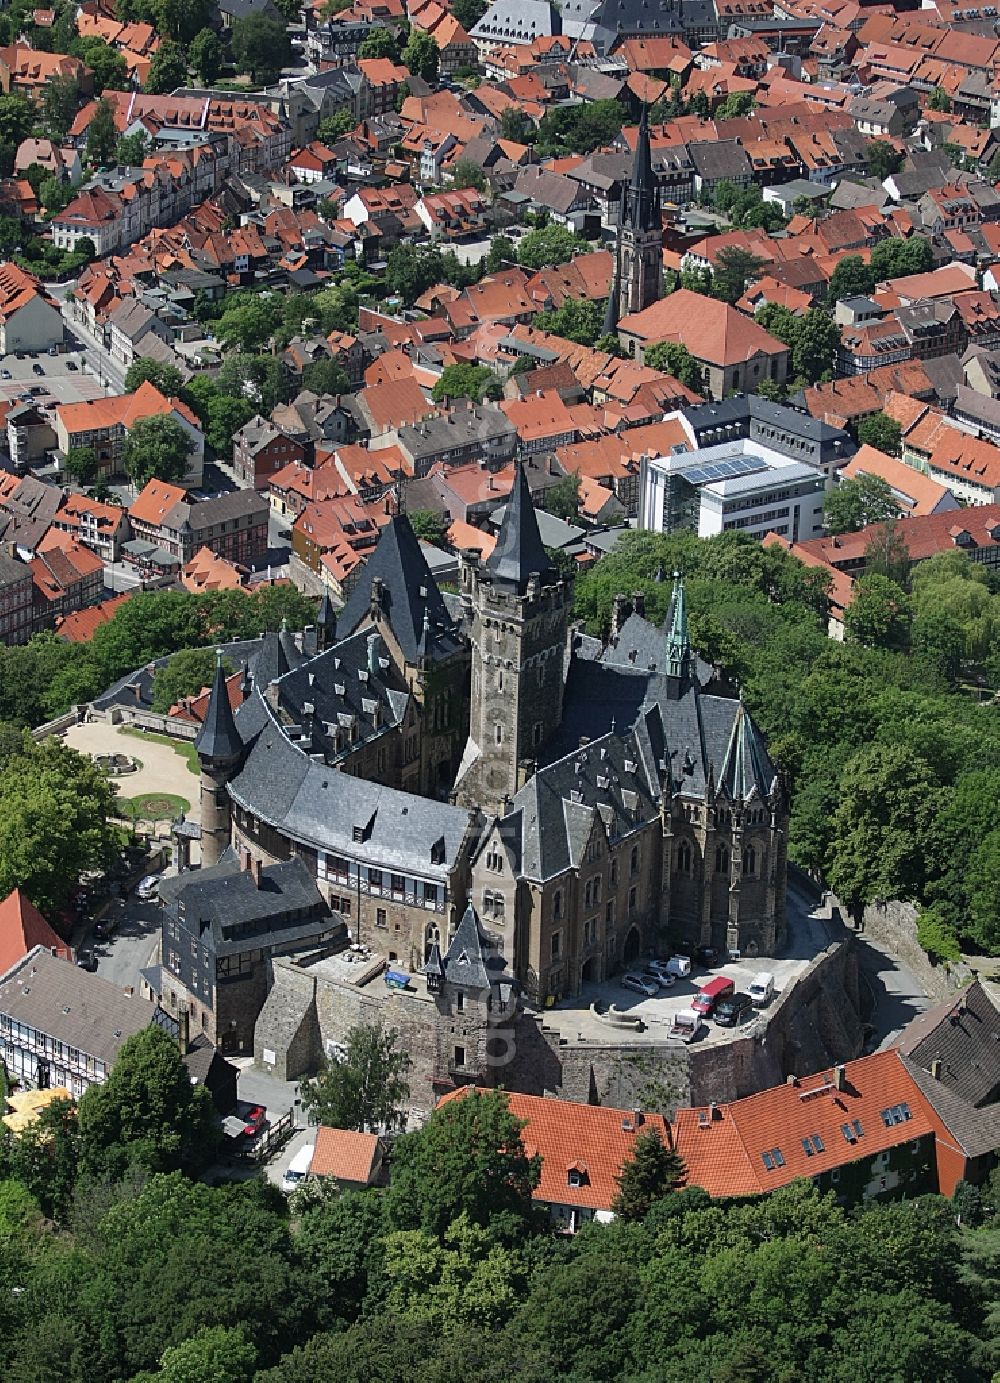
(519, 611)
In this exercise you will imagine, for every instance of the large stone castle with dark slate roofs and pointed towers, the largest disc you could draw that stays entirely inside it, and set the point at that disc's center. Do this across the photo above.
(425, 752)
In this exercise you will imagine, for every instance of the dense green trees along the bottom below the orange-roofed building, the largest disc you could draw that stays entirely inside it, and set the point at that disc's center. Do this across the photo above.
(120, 1265)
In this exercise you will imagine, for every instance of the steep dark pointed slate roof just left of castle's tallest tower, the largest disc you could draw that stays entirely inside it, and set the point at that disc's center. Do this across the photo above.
(411, 595)
